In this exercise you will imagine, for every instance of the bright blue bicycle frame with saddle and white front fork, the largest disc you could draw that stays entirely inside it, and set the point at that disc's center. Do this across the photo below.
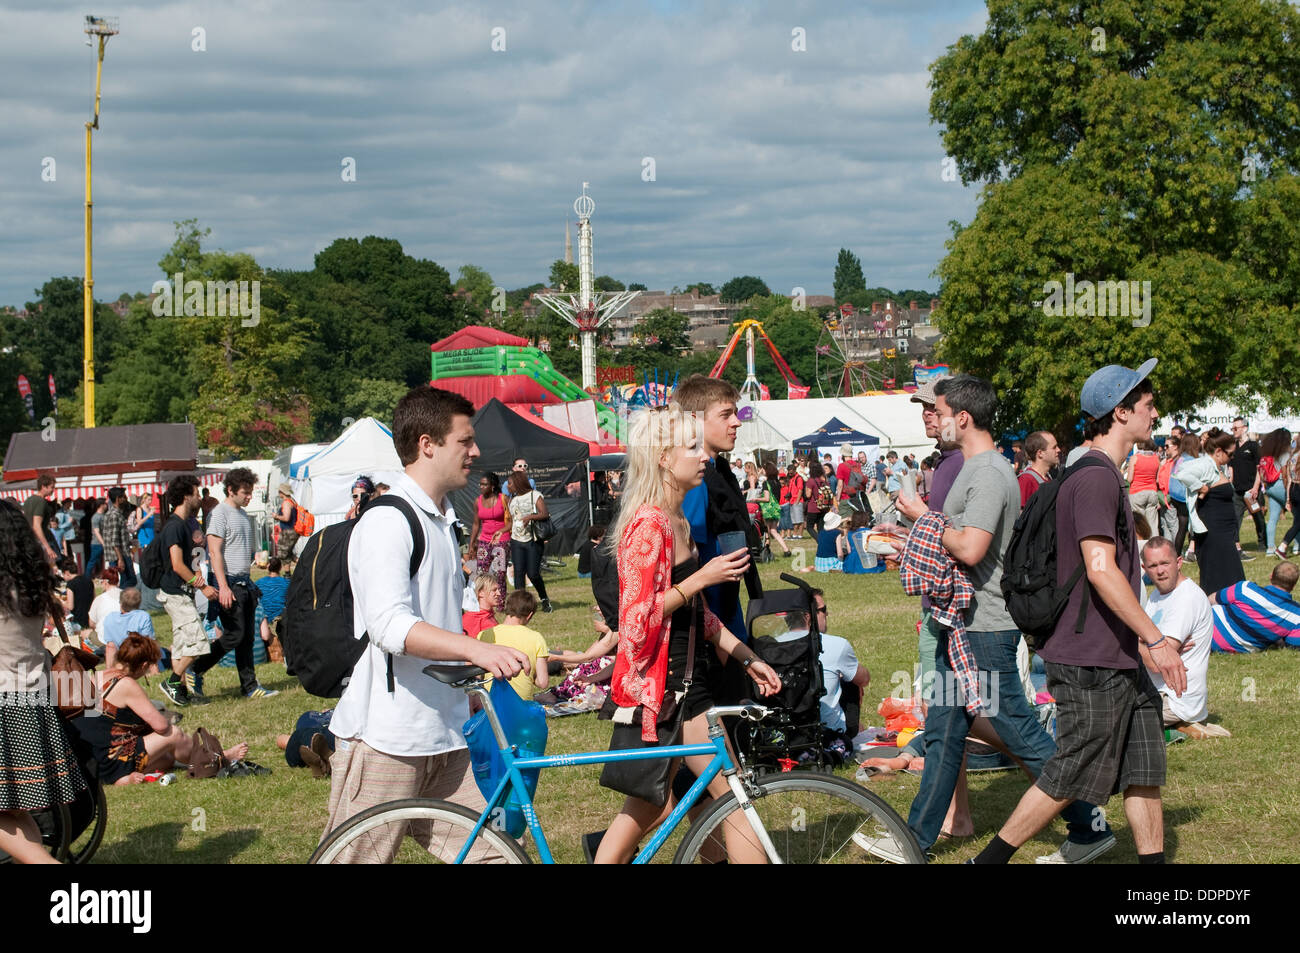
(514, 781)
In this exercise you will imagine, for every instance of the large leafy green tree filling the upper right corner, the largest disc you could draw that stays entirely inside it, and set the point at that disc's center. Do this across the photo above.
(1119, 141)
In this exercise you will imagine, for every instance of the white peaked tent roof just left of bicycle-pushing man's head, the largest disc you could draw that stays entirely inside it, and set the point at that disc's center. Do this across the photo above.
(326, 480)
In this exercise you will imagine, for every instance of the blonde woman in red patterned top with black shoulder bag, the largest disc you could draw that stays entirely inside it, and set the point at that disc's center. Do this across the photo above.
(661, 603)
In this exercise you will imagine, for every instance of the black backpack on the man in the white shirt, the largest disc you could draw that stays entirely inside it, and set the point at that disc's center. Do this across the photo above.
(317, 627)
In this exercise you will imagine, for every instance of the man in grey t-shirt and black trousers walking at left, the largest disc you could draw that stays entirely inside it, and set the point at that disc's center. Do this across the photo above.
(231, 545)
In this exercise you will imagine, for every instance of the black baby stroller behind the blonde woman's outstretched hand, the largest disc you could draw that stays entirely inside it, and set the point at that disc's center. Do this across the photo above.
(783, 630)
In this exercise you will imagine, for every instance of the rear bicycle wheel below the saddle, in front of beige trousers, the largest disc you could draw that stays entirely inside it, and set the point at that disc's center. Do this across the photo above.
(415, 831)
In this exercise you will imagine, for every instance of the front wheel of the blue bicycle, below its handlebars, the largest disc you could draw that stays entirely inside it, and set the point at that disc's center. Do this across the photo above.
(809, 820)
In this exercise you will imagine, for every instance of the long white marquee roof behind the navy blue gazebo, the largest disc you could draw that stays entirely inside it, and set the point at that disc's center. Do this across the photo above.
(894, 418)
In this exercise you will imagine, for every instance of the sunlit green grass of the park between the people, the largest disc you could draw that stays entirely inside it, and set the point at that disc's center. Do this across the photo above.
(1228, 802)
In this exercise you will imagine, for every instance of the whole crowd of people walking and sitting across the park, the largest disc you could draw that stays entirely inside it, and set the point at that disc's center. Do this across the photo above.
(1123, 666)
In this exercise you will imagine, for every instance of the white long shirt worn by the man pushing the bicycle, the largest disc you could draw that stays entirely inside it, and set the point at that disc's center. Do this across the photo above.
(422, 717)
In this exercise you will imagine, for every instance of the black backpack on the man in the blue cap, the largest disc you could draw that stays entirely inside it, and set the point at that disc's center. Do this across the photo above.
(1034, 597)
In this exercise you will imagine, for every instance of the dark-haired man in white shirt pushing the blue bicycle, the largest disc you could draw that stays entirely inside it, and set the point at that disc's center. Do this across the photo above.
(408, 743)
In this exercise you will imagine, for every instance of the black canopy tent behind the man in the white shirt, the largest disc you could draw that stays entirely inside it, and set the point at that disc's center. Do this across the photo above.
(556, 463)
